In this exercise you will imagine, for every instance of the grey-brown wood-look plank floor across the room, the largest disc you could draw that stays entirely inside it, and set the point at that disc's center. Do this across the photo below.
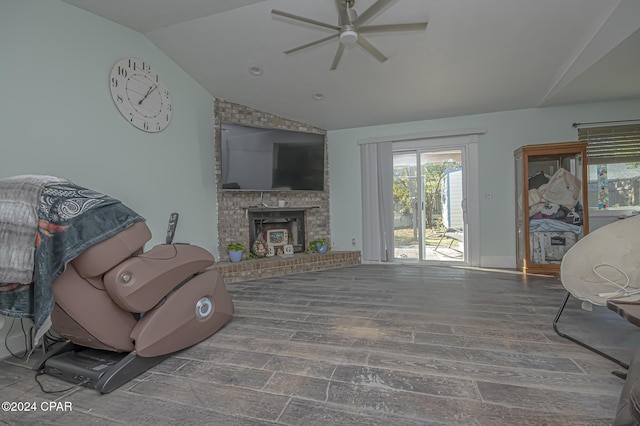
(370, 345)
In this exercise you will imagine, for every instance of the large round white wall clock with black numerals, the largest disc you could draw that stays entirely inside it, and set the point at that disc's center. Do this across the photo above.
(140, 95)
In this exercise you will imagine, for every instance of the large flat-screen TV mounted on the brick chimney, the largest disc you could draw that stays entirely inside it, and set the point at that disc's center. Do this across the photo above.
(265, 159)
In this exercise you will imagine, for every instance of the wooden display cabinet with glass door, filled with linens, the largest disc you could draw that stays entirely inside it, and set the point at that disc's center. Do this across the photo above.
(551, 203)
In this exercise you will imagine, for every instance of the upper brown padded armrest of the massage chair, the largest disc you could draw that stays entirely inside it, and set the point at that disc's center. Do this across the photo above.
(140, 282)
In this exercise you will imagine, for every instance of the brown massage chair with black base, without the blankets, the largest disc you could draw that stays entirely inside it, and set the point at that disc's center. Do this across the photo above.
(124, 310)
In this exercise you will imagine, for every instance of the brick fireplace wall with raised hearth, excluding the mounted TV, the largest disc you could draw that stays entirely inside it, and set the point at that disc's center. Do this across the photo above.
(304, 213)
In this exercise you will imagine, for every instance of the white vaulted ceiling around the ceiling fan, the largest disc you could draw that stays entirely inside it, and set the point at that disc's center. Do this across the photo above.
(474, 57)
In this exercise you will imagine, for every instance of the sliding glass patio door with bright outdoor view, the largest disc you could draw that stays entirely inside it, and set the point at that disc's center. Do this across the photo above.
(429, 205)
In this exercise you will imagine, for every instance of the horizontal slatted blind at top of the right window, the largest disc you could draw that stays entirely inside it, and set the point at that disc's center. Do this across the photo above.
(612, 143)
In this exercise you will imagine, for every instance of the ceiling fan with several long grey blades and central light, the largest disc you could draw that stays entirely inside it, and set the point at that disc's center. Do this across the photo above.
(351, 27)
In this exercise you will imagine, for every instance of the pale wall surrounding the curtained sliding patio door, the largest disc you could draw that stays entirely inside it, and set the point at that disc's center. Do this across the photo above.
(505, 132)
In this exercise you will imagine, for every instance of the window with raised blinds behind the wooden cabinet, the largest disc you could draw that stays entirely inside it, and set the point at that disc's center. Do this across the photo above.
(613, 158)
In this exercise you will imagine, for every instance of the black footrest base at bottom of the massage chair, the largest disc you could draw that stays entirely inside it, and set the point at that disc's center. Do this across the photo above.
(101, 370)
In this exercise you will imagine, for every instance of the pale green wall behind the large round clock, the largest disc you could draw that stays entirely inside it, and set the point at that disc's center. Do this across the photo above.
(57, 118)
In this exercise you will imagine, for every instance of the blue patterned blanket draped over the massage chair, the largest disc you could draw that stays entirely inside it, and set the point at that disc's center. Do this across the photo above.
(70, 220)
